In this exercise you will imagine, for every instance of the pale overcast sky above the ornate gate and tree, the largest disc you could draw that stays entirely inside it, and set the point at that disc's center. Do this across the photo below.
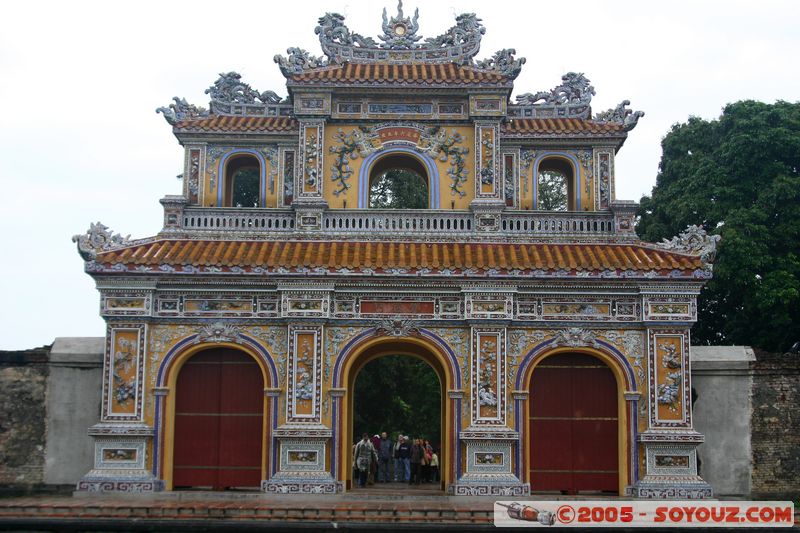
(79, 83)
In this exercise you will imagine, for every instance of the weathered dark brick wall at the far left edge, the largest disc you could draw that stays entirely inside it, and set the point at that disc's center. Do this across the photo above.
(23, 382)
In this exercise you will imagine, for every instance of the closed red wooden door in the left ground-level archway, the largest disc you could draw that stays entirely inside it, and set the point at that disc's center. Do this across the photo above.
(219, 413)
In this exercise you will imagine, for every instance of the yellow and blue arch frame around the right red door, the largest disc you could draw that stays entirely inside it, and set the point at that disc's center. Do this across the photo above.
(627, 405)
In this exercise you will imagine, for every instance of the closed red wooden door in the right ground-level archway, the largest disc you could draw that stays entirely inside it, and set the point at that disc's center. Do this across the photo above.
(573, 425)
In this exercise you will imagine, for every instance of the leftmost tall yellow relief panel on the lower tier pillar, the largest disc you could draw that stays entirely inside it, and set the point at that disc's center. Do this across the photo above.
(123, 372)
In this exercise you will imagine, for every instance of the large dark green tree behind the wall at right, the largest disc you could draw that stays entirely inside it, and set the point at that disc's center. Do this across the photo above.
(738, 177)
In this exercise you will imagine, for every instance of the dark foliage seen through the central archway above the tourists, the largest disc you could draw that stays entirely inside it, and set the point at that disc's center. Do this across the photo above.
(398, 393)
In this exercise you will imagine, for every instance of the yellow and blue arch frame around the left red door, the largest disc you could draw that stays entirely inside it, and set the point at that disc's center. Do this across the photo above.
(166, 380)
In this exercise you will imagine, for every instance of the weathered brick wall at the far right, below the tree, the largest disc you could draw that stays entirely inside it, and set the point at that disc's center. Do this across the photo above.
(776, 426)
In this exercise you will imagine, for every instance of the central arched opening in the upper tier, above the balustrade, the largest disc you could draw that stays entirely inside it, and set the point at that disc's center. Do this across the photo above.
(399, 181)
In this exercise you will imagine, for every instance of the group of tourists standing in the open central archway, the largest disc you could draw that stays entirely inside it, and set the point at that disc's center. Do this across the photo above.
(379, 459)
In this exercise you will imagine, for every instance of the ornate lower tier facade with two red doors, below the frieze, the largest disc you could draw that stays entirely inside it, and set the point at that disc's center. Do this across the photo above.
(220, 402)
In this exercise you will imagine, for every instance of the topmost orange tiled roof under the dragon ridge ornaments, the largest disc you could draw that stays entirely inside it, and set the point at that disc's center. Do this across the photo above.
(414, 73)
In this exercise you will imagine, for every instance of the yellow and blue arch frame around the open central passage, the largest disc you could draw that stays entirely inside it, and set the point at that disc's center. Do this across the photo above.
(387, 346)
